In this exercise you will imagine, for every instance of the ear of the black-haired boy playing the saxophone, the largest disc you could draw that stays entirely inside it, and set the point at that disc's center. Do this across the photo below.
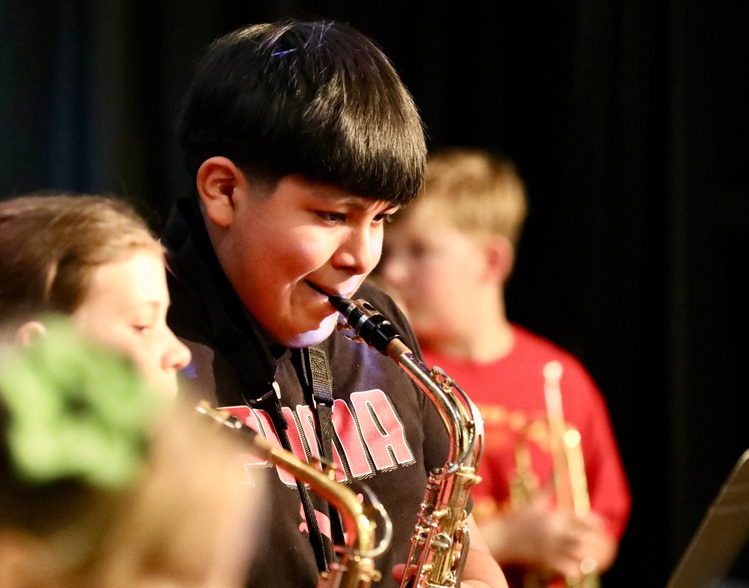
(217, 182)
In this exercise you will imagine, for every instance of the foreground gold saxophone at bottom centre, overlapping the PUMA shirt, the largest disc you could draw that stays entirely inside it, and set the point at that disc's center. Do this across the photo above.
(355, 567)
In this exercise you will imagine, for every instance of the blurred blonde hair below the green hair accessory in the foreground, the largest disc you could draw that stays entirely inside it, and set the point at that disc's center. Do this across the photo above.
(167, 524)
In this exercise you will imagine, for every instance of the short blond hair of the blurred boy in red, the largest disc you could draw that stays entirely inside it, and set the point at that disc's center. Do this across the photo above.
(478, 192)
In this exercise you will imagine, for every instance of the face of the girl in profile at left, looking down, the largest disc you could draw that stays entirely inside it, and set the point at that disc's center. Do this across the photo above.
(126, 308)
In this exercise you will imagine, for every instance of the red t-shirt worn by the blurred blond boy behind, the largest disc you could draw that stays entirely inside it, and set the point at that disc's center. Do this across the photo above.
(509, 393)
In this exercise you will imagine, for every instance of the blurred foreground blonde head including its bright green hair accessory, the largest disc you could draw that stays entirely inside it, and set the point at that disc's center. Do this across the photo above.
(105, 482)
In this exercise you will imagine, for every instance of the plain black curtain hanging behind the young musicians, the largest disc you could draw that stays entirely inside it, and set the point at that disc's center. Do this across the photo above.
(628, 120)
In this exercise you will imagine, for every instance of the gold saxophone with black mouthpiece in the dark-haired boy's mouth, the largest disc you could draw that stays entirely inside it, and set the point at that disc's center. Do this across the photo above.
(439, 544)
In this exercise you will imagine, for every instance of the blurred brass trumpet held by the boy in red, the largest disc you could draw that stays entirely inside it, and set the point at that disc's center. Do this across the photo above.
(570, 482)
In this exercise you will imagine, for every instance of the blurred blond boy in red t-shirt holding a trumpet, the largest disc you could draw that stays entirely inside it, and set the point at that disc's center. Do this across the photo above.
(447, 257)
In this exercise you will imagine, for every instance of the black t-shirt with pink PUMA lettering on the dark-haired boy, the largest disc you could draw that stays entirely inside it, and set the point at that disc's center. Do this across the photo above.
(387, 432)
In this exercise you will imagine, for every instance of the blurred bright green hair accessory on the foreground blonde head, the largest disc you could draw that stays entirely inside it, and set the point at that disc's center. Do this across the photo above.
(75, 410)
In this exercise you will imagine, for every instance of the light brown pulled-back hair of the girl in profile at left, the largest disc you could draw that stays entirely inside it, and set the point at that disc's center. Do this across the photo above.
(51, 243)
